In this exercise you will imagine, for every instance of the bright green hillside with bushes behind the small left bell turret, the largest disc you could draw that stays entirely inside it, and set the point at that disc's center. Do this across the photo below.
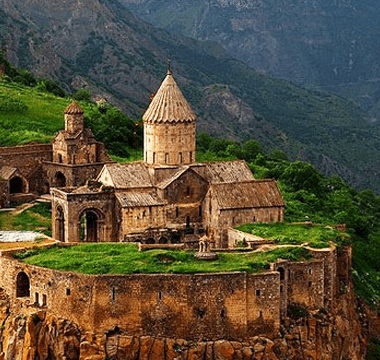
(31, 110)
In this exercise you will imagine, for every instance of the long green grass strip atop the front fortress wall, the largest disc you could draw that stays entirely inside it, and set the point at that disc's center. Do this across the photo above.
(126, 259)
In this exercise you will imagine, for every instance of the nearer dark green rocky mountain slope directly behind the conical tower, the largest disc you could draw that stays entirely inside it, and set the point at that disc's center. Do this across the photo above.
(102, 45)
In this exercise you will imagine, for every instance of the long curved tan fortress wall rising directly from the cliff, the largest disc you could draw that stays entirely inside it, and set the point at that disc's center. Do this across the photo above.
(212, 306)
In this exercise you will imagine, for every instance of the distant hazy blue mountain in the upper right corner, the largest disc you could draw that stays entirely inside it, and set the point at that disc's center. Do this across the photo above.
(328, 45)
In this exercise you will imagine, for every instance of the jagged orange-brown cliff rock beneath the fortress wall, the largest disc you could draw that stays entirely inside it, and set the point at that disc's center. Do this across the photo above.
(31, 336)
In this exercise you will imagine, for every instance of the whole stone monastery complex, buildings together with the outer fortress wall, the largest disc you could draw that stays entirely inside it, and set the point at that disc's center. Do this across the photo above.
(167, 198)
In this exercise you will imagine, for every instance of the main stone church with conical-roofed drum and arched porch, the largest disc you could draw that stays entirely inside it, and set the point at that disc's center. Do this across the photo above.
(168, 197)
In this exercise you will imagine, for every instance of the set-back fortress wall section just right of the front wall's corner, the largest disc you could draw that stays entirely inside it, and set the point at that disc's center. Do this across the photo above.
(306, 283)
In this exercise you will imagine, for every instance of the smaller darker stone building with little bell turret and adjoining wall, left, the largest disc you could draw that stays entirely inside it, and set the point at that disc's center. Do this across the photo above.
(72, 158)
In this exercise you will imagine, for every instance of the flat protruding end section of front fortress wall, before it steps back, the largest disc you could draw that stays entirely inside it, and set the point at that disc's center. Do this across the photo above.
(263, 304)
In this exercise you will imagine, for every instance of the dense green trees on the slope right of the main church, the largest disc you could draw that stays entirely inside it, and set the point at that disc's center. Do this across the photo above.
(310, 196)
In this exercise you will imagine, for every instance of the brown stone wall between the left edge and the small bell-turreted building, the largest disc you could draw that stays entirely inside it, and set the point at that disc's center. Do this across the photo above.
(28, 160)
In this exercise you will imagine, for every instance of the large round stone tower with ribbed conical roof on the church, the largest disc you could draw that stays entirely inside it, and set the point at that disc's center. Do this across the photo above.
(169, 127)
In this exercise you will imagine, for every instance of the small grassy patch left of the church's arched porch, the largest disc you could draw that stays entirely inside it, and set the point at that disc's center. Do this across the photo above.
(37, 218)
